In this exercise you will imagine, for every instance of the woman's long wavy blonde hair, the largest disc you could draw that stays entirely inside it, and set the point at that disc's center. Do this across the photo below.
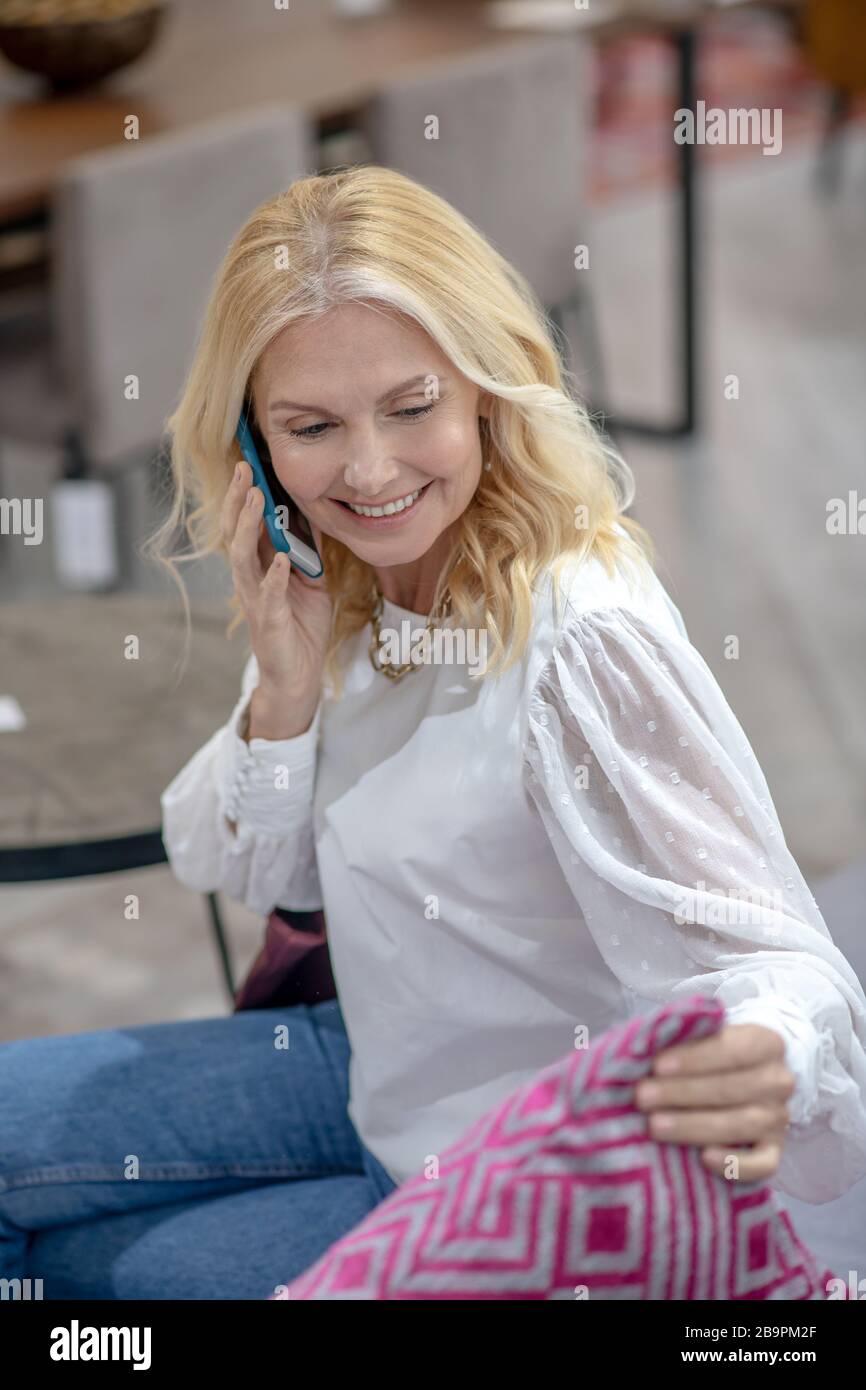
(553, 487)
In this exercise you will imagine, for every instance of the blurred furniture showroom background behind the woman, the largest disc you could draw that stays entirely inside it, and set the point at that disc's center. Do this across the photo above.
(710, 298)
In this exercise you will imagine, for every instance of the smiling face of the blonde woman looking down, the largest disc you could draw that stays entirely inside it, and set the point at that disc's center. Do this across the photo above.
(359, 405)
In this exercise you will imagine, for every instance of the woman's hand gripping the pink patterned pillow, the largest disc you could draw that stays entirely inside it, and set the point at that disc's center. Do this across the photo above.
(728, 1092)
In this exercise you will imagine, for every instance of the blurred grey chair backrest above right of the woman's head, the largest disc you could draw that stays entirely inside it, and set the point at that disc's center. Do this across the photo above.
(511, 148)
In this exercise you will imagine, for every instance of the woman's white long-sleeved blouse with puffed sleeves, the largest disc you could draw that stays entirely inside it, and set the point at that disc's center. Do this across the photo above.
(505, 862)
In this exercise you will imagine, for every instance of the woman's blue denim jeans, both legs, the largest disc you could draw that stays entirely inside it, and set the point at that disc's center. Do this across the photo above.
(197, 1160)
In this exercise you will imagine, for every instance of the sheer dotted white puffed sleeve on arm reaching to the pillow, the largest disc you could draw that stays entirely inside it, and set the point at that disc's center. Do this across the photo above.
(667, 833)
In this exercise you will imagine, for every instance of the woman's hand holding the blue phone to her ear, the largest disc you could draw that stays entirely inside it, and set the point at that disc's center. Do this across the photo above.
(288, 615)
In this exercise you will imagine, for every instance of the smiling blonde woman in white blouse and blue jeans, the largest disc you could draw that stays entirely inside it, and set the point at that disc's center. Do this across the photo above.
(508, 858)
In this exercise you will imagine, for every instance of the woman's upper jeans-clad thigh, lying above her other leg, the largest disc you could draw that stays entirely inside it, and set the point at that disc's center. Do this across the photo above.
(119, 1121)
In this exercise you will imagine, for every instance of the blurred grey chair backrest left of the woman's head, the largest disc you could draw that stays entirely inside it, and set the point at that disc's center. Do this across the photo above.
(138, 234)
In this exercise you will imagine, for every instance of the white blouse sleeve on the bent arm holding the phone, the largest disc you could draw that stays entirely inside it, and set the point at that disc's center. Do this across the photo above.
(265, 789)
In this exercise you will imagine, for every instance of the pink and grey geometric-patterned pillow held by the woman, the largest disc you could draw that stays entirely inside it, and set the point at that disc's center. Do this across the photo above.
(561, 1193)
